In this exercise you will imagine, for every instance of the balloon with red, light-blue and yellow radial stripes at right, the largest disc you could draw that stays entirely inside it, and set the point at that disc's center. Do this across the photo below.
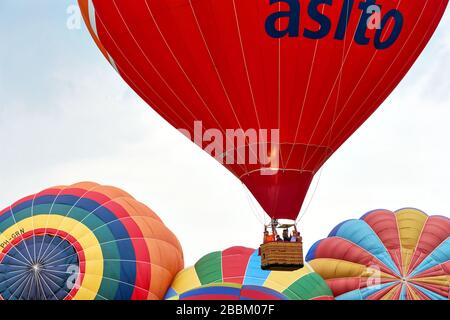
(401, 255)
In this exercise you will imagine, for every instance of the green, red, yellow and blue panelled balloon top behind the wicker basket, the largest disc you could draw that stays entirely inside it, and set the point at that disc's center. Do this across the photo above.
(236, 273)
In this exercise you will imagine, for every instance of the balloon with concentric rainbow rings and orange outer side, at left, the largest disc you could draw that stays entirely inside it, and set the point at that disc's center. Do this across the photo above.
(83, 242)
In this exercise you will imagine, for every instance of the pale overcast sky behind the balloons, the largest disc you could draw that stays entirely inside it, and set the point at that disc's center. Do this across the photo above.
(66, 116)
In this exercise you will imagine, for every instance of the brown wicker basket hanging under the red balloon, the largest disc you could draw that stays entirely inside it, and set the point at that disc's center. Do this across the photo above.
(283, 256)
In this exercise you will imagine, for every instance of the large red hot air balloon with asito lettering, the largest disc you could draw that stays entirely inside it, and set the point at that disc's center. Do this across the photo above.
(313, 69)
